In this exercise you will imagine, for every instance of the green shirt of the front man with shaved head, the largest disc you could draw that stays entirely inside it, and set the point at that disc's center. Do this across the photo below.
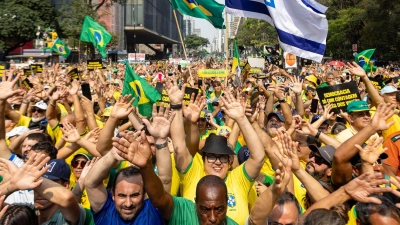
(184, 212)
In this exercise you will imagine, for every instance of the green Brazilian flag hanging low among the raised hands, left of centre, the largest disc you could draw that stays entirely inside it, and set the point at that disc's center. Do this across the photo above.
(144, 94)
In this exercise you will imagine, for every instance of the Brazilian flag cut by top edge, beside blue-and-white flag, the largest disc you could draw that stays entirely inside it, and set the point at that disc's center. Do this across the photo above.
(203, 9)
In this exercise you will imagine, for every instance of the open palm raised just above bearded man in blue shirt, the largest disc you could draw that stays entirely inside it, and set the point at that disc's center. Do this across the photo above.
(136, 152)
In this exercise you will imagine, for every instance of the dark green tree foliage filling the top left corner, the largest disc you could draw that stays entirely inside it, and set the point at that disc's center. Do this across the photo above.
(19, 20)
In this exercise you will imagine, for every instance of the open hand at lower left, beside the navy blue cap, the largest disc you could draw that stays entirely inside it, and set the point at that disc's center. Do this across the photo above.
(28, 176)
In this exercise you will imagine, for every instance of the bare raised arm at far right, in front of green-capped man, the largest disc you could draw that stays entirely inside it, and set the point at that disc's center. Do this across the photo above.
(341, 166)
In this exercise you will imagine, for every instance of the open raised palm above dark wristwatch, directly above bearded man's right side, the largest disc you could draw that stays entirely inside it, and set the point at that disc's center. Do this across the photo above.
(161, 122)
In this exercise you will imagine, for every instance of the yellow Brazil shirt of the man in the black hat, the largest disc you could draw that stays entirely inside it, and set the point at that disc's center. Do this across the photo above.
(237, 182)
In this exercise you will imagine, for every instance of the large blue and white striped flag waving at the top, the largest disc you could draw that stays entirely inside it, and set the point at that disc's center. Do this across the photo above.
(301, 25)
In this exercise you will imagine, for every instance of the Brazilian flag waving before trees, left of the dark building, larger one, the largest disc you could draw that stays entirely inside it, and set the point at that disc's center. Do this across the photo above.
(96, 34)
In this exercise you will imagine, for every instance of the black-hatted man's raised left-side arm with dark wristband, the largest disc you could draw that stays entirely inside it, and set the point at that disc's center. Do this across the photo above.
(182, 155)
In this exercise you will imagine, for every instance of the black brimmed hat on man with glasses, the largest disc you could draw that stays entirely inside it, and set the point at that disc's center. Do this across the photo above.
(216, 144)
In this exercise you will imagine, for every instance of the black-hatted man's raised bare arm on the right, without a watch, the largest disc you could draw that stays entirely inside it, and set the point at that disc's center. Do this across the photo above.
(236, 111)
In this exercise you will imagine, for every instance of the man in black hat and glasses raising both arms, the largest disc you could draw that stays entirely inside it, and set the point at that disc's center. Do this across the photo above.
(217, 156)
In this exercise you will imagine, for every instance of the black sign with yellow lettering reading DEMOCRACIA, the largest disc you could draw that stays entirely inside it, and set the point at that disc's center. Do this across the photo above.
(339, 96)
